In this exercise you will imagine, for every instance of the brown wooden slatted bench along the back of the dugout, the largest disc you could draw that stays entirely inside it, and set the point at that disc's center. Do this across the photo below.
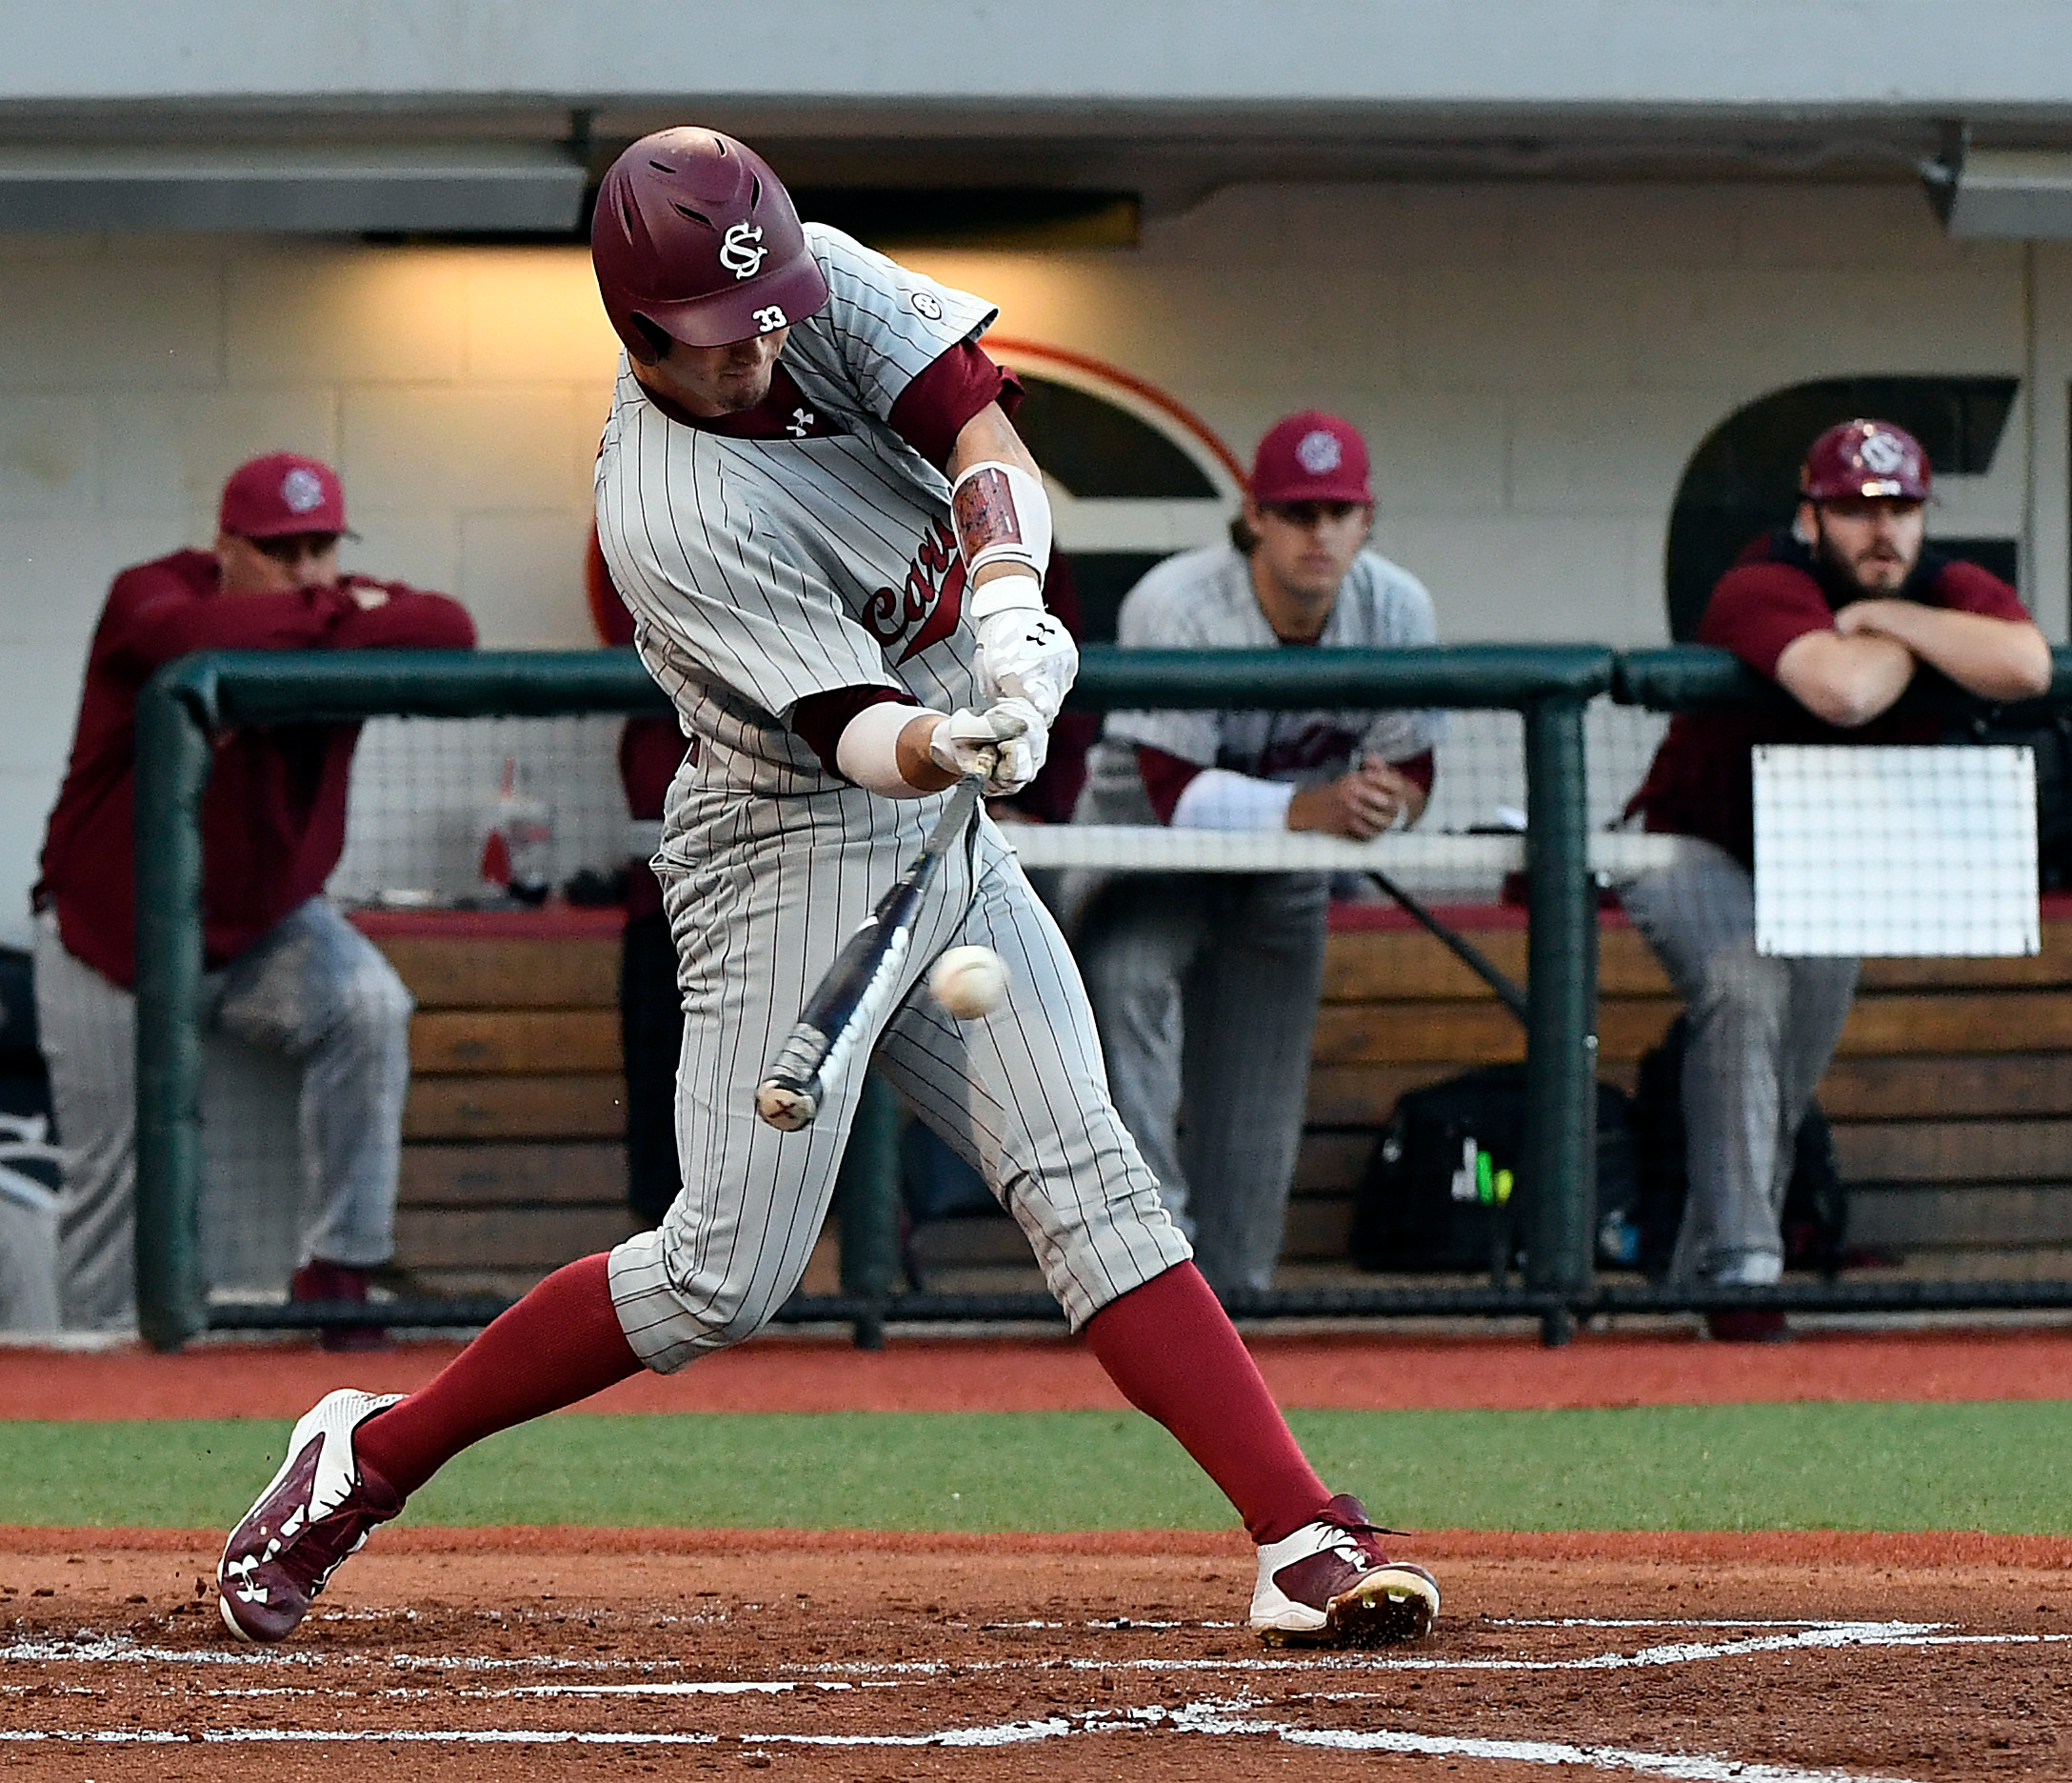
(1951, 1096)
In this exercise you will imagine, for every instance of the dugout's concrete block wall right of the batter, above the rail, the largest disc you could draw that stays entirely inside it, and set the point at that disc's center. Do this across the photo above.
(1534, 366)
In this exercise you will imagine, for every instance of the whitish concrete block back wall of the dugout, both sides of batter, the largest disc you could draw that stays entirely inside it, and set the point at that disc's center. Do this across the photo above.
(1534, 366)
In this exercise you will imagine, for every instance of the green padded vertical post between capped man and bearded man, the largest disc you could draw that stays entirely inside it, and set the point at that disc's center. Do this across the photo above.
(1561, 1036)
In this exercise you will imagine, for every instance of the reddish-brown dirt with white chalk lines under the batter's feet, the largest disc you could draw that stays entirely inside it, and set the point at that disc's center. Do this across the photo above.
(890, 1658)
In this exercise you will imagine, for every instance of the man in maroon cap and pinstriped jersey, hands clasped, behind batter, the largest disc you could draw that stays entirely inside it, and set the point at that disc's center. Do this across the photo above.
(1207, 986)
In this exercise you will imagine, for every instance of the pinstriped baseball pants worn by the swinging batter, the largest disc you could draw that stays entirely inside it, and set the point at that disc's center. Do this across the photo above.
(1020, 1094)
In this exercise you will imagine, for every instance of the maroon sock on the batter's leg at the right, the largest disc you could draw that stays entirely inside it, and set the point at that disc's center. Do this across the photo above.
(1176, 1355)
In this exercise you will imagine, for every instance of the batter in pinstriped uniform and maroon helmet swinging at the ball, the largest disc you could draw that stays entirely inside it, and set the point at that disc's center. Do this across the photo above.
(832, 542)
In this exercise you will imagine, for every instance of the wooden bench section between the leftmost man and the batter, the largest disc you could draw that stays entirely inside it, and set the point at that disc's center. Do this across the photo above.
(515, 1135)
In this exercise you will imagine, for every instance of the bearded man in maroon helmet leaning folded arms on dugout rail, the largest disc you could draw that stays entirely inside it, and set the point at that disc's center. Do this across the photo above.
(1839, 611)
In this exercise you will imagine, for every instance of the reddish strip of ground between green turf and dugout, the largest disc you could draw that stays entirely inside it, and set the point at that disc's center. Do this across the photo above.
(1369, 1371)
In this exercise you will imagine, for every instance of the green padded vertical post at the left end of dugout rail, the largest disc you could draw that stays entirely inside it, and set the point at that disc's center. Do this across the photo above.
(173, 772)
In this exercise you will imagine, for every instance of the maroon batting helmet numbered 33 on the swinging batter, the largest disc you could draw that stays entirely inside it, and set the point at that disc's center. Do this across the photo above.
(695, 239)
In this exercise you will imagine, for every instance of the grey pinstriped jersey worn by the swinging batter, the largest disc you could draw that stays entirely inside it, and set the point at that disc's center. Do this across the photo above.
(766, 571)
